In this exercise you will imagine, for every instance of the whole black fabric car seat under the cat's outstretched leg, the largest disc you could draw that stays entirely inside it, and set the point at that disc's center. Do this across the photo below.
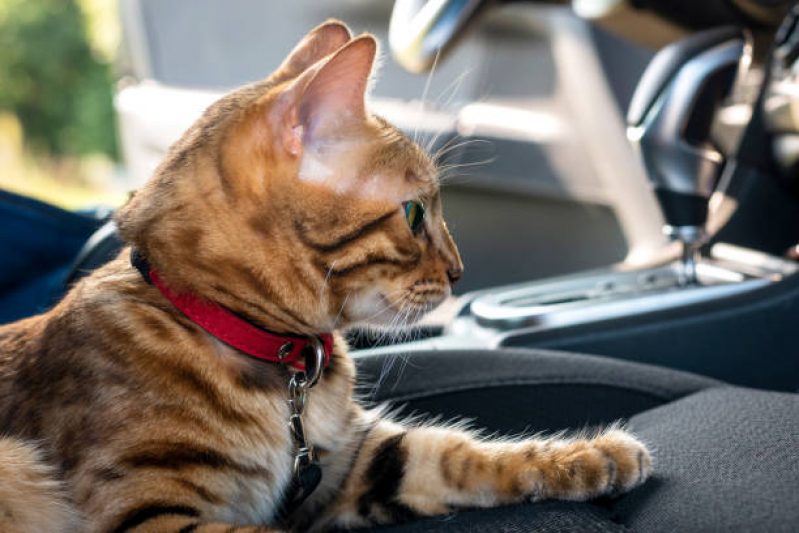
(726, 458)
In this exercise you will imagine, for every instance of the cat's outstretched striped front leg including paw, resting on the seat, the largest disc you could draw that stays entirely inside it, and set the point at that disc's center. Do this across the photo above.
(406, 471)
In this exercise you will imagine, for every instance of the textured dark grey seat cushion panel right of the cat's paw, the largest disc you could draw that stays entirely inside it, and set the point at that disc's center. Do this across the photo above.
(727, 460)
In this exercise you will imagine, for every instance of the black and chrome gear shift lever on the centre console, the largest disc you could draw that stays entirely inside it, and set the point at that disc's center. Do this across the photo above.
(669, 121)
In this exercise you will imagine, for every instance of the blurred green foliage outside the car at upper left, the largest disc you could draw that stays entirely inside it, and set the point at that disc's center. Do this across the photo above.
(52, 81)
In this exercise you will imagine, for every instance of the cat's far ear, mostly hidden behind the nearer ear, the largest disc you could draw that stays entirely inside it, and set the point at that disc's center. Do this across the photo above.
(319, 43)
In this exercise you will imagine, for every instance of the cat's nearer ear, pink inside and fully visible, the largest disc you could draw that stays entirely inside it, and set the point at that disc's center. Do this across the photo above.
(328, 96)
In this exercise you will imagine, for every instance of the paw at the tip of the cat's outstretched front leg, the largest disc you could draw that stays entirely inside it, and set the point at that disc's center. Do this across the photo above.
(609, 464)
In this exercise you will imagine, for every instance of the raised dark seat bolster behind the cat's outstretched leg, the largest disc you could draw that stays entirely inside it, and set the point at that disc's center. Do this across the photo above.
(515, 390)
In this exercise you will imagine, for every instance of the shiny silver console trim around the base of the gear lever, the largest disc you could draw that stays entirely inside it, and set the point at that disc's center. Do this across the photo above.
(487, 319)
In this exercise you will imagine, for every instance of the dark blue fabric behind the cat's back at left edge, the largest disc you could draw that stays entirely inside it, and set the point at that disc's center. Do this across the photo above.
(38, 243)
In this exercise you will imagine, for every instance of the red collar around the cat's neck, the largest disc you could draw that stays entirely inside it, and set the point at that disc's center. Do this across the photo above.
(232, 329)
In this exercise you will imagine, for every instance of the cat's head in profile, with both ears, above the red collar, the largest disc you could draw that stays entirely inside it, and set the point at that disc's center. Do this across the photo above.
(293, 205)
